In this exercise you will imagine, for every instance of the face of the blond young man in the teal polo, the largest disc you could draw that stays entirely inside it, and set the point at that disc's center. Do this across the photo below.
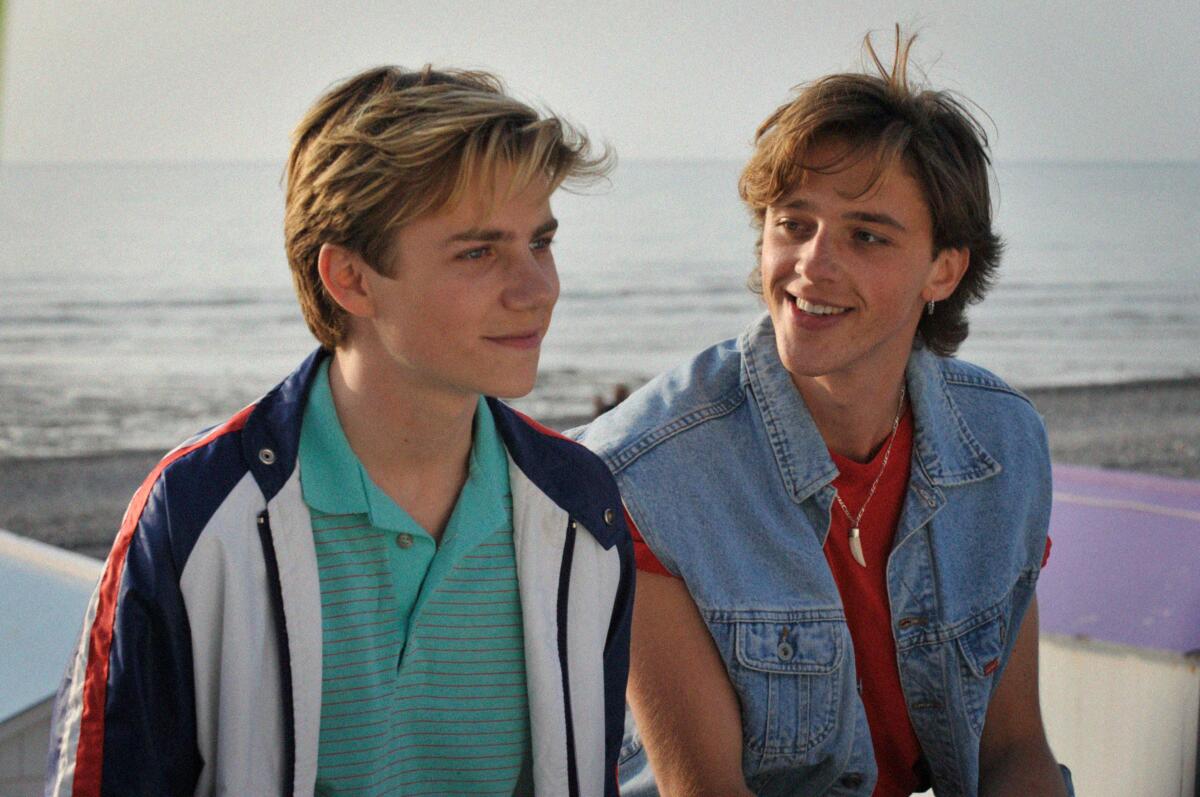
(471, 295)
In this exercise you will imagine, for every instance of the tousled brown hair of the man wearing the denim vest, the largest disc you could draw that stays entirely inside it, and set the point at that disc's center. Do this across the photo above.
(883, 117)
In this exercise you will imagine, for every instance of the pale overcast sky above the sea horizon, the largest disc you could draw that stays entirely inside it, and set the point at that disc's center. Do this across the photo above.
(153, 80)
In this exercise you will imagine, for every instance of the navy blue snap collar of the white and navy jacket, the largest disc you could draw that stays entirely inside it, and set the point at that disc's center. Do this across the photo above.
(569, 475)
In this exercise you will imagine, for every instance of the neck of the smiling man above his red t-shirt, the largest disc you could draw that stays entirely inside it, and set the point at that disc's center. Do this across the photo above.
(854, 415)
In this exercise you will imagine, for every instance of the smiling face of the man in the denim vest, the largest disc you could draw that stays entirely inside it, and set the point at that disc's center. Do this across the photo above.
(847, 274)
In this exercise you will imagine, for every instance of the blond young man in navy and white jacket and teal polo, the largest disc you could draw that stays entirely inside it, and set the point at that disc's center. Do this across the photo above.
(377, 579)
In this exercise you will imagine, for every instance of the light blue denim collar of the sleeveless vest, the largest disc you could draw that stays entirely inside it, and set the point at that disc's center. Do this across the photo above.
(944, 447)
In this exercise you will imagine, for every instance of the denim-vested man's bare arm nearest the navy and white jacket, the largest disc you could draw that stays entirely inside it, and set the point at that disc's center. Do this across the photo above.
(685, 705)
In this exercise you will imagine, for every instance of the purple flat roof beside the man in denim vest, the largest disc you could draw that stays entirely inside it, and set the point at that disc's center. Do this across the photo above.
(1126, 560)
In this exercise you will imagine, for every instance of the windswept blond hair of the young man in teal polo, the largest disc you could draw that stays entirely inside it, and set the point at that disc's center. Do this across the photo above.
(391, 146)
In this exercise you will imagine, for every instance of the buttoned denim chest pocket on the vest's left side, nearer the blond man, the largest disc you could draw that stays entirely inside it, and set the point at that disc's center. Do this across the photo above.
(788, 675)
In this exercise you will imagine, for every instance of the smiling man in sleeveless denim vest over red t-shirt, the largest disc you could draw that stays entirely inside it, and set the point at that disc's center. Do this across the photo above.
(839, 526)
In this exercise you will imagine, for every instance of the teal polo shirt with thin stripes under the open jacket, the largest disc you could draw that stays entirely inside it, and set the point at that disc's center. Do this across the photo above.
(424, 685)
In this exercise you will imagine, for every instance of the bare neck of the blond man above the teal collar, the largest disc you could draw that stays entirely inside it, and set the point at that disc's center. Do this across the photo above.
(397, 428)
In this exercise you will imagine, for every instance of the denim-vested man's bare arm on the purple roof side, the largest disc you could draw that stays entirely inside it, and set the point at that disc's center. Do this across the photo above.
(1015, 757)
